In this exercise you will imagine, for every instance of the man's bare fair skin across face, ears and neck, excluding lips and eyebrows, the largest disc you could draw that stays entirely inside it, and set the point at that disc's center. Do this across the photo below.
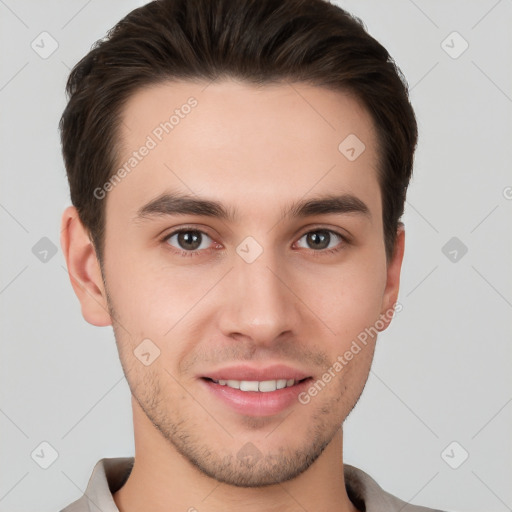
(256, 150)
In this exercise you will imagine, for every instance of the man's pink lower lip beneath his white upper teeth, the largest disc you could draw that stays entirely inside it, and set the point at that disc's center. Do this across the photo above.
(257, 403)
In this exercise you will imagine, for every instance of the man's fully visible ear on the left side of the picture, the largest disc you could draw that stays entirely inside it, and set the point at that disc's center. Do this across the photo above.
(84, 269)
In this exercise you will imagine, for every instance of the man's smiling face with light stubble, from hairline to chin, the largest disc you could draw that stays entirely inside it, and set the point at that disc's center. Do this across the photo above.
(266, 285)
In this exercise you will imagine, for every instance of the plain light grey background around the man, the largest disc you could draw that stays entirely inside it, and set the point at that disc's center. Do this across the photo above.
(441, 372)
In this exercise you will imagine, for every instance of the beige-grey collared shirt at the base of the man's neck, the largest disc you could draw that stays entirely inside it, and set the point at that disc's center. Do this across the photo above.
(110, 474)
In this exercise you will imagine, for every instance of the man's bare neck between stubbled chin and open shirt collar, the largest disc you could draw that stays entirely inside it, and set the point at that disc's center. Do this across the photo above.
(162, 480)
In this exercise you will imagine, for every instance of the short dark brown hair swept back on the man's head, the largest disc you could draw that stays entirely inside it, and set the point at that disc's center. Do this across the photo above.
(258, 41)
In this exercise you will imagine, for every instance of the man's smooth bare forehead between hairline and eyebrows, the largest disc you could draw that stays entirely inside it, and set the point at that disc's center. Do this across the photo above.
(246, 145)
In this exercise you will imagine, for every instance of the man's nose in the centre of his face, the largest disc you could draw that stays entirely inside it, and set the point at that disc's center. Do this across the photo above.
(258, 303)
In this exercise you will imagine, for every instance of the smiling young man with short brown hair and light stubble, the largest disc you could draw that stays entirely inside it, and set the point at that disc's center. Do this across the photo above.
(238, 171)
